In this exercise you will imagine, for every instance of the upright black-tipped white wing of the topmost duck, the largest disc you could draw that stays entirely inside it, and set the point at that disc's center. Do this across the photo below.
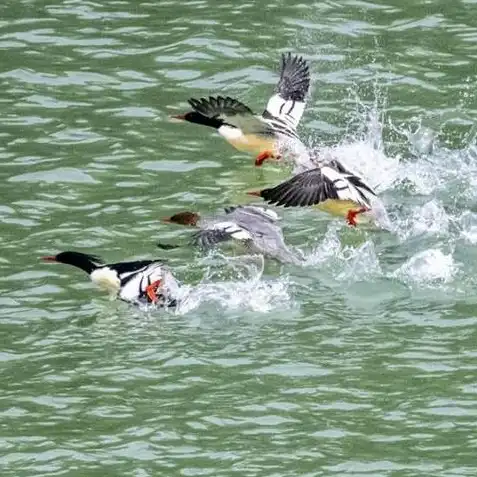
(288, 103)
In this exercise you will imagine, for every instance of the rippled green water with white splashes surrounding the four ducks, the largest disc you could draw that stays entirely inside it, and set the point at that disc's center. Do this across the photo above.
(362, 363)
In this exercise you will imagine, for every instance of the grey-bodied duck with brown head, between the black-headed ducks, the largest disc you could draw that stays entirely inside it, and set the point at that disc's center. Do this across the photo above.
(254, 227)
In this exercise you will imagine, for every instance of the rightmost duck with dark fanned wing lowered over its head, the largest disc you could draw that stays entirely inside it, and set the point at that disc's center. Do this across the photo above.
(331, 187)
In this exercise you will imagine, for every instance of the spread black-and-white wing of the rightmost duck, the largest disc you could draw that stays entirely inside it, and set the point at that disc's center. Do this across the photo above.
(316, 186)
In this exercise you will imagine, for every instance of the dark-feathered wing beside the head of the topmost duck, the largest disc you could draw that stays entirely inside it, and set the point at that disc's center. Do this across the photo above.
(231, 111)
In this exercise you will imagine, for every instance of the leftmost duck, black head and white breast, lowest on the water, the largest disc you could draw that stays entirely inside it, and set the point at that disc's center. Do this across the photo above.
(142, 280)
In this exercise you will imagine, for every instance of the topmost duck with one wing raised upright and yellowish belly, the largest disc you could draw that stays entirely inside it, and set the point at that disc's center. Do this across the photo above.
(269, 135)
